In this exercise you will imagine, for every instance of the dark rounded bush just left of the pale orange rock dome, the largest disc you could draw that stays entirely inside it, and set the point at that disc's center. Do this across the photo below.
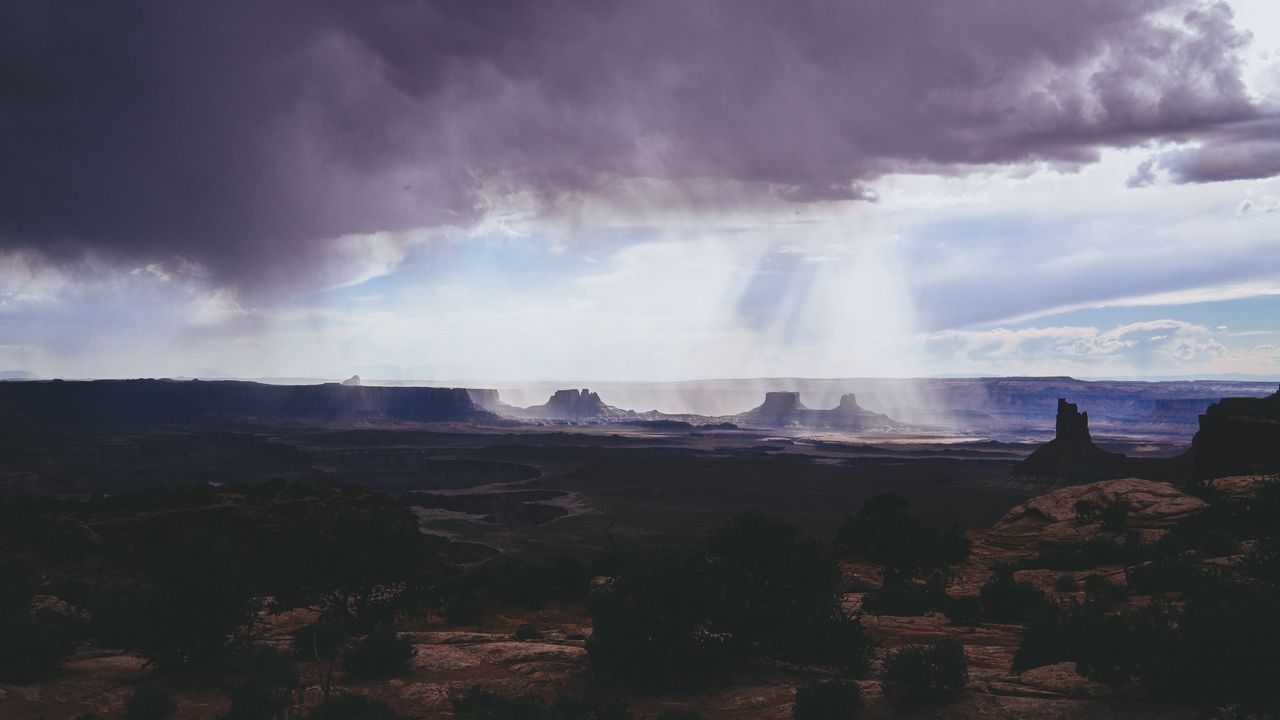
(906, 545)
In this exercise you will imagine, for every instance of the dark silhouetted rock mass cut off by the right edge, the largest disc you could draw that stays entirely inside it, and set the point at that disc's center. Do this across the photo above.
(1238, 436)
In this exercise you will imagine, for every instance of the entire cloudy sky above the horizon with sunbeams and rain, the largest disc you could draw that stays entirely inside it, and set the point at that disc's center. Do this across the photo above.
(665, 190)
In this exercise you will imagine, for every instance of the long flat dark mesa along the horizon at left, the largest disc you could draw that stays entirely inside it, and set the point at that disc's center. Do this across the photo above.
(150, 403)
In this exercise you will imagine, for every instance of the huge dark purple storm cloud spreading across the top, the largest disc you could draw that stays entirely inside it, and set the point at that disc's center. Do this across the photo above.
(243, 134)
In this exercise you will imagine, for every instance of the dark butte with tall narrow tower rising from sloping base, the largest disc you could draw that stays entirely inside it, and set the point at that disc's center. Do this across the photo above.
(1071, 458)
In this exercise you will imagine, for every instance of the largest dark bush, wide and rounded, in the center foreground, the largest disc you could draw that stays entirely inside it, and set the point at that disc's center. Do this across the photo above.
(673, 618)
